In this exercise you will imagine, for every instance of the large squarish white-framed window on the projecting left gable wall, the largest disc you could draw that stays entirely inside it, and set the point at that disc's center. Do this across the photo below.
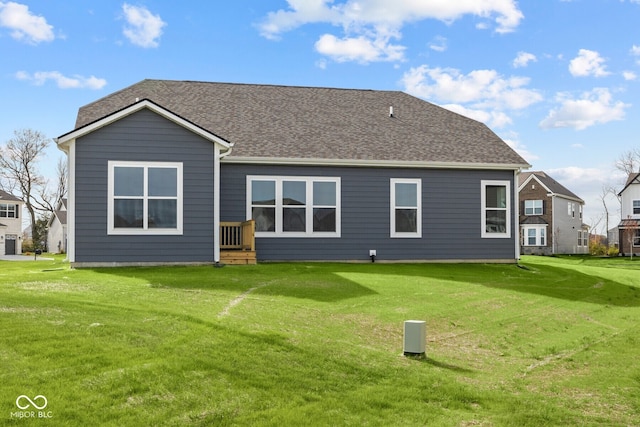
(144, 198)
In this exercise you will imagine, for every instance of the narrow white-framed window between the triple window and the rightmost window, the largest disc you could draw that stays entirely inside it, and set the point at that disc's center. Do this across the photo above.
(406, 208)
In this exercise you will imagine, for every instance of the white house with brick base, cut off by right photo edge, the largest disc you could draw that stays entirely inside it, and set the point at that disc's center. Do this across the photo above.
(629, 227)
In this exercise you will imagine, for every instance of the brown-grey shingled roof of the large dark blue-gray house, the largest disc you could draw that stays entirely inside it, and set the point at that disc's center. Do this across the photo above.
(287, 122)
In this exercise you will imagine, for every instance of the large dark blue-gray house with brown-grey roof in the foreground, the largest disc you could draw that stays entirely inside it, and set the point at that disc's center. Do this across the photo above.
(325, 174)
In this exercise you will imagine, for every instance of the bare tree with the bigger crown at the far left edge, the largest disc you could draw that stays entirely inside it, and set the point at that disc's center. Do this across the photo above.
(19, 171)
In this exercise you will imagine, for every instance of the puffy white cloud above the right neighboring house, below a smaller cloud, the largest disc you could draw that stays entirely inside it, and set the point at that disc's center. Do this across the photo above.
(592, 108)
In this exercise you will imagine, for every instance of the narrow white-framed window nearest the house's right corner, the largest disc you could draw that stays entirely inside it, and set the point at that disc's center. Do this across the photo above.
(496, 209)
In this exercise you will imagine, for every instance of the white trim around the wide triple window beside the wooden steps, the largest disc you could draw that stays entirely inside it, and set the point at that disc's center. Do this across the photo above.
(309, 180)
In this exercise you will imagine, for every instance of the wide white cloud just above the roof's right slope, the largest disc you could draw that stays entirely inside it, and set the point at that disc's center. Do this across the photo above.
(483, 95)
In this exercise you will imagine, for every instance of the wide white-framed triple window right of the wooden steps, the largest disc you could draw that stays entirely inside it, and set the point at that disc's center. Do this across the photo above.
(293, 206)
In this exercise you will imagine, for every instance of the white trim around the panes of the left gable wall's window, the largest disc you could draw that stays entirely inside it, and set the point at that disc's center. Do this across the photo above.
(111, 230)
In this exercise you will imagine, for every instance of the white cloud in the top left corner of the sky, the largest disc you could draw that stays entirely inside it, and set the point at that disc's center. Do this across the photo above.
(24, 25)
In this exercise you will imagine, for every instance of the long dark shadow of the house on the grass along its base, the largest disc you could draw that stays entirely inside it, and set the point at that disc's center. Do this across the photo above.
(326, 282)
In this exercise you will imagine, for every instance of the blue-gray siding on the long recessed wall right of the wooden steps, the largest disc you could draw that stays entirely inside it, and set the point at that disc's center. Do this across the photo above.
(451, 212)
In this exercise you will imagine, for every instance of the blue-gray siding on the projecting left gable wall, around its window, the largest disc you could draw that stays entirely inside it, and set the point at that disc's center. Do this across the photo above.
(143, 136)
